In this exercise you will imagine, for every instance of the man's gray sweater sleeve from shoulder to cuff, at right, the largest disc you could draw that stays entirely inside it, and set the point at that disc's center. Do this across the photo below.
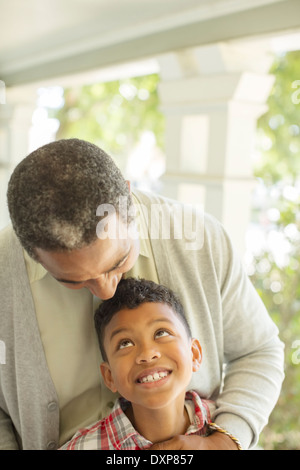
(253, 354)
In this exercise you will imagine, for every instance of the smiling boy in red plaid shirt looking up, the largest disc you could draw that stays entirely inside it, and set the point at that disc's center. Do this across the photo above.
(149, 356)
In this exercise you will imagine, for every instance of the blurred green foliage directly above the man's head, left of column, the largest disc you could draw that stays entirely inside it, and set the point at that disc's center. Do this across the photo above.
(113, 115)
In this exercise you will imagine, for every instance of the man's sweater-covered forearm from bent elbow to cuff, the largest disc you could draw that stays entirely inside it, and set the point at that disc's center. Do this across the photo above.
(251, 389)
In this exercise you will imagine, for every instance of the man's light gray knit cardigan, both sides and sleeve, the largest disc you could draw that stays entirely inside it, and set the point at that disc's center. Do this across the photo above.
(242, 368)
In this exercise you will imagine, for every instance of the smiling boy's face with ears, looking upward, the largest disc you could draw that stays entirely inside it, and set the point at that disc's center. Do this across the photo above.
(150, 357)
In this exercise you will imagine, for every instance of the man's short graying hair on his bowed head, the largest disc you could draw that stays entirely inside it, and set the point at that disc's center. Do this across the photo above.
(53, 195)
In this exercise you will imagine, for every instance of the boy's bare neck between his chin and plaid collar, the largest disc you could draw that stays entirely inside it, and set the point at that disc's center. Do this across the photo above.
(161, 424)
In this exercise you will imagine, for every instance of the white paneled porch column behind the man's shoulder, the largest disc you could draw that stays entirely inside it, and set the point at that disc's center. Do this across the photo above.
(212, 97)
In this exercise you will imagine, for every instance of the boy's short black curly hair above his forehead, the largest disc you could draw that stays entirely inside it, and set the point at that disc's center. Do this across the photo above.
(131, 293)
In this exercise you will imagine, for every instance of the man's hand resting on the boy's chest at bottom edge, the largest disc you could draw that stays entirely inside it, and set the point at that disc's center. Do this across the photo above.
(215, 441)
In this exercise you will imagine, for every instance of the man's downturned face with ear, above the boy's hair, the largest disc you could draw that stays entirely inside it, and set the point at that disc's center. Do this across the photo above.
(99, 266)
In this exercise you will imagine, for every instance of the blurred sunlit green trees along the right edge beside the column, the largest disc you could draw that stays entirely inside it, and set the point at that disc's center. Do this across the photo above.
(277, 279)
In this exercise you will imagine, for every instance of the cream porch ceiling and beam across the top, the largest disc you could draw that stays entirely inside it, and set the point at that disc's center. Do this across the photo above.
(42, 39)
